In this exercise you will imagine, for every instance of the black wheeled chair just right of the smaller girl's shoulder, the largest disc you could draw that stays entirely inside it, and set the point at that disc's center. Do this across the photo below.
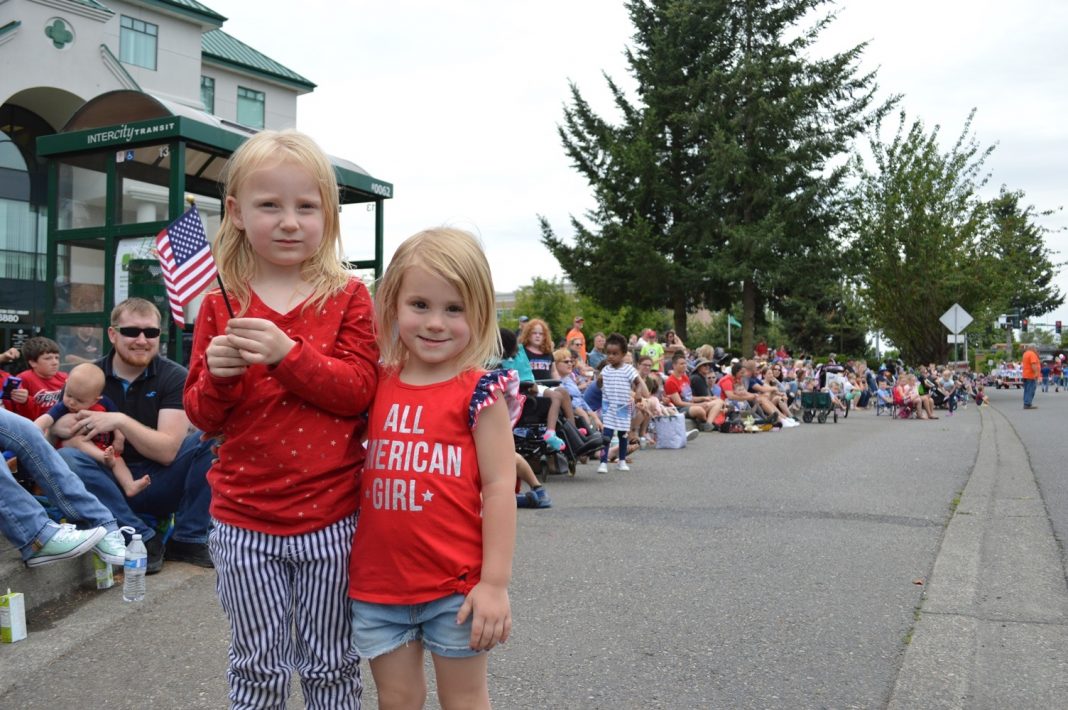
(529, 438)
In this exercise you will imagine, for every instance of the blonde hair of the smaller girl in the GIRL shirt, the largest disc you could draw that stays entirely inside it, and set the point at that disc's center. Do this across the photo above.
(458, 258)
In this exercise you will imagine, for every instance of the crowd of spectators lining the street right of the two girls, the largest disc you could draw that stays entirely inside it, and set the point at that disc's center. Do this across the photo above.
(716, 392)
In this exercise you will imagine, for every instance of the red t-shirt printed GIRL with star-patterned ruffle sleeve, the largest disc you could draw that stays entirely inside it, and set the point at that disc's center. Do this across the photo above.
(420, 532)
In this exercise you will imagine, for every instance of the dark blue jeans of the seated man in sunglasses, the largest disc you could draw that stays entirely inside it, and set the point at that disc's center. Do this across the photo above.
(180, 488)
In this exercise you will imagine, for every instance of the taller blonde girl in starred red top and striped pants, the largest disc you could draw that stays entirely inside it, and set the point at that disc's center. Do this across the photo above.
(287, 385)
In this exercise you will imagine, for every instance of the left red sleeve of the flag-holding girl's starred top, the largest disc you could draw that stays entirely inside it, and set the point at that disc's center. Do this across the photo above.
(208, 399)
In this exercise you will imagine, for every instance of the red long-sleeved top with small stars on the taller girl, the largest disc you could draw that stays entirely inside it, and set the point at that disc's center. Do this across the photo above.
(291, 460)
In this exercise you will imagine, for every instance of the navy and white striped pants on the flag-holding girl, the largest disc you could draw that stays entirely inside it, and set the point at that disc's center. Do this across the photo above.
(269, 585)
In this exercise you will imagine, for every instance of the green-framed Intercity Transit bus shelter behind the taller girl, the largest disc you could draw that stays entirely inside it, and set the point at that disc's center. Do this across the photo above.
(119, 172)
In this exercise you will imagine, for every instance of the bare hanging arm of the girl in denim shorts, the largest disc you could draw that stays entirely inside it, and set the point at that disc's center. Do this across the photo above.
(489, 602)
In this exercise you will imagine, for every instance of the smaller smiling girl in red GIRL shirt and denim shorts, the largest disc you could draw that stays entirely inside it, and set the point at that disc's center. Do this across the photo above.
(433, 555)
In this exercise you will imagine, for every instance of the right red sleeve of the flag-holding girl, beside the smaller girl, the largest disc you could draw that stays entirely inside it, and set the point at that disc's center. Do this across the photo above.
(342, 380)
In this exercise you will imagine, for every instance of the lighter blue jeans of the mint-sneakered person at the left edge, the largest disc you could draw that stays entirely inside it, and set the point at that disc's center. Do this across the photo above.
(23, 520)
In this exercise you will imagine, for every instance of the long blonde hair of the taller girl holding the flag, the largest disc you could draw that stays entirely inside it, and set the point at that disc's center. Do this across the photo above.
(233, 254)
